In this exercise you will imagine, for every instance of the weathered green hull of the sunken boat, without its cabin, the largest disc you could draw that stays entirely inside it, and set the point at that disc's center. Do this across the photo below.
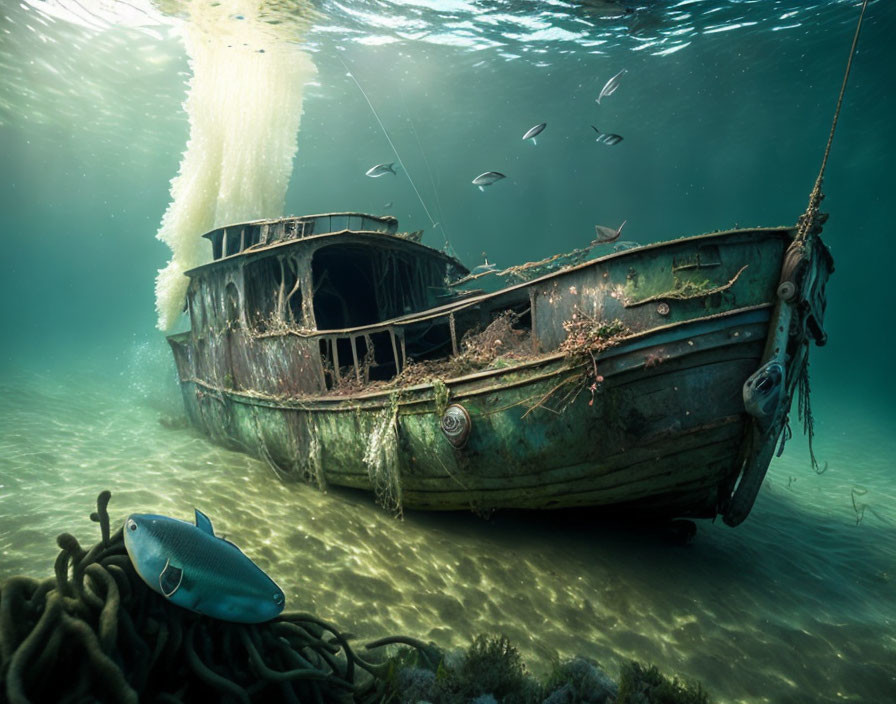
(665, 432)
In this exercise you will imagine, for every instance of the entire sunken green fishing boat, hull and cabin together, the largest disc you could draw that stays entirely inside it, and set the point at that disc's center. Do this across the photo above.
(656, 421)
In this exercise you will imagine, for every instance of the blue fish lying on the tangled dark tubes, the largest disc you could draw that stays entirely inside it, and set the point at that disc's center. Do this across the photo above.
(192, 567)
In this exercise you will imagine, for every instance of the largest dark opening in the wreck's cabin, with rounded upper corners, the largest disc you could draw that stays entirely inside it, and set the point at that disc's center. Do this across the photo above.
(344, 290)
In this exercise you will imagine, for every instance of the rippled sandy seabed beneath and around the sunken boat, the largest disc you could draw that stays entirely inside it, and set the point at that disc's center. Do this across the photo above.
(797, 604)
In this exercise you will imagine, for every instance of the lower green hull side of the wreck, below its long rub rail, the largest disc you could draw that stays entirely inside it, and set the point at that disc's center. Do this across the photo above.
(665, 428)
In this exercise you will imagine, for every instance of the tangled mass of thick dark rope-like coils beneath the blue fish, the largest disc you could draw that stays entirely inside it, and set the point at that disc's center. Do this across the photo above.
(96, 632)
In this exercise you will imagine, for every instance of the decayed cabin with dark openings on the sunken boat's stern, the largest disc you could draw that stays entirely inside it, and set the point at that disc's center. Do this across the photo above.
(336, 293)
